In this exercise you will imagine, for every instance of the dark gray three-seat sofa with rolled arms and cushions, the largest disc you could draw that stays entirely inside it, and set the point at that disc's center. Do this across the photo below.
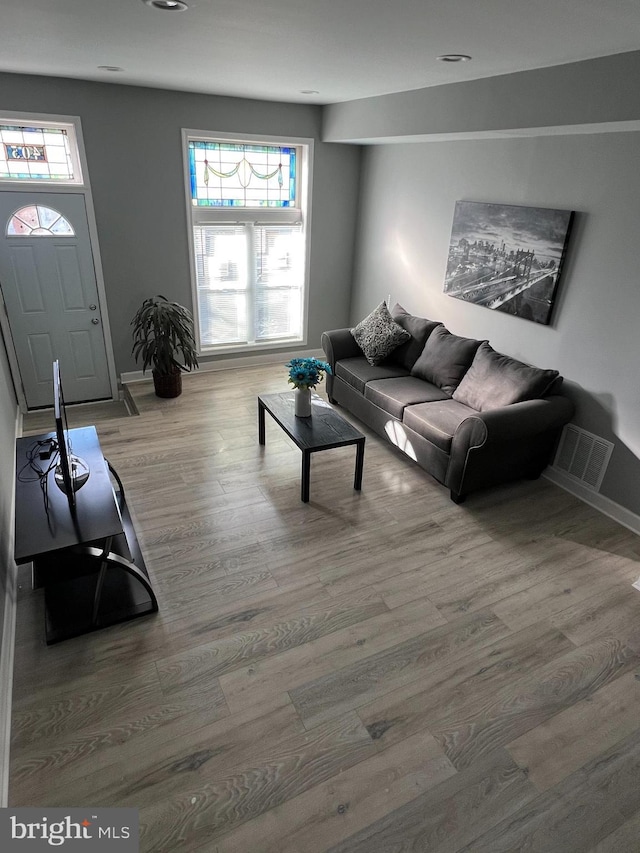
(471, 417)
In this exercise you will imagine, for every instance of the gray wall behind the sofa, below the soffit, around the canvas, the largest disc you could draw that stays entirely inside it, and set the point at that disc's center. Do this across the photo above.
(407, 203)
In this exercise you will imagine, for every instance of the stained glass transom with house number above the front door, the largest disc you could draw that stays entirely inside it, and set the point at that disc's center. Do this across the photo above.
(35, 154)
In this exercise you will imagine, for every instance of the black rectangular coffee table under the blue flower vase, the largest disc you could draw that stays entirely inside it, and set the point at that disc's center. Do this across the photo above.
(322, 431)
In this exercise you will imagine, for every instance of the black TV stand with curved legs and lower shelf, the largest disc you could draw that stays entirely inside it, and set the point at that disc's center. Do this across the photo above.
(87, 559)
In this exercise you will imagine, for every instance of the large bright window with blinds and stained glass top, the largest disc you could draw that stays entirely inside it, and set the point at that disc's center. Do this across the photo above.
(247, 204)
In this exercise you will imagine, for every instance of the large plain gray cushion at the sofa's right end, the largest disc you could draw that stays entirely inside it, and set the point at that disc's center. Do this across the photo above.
(495, 380)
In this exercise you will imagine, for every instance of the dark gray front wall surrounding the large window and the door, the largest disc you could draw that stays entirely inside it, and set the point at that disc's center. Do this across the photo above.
(133, 145)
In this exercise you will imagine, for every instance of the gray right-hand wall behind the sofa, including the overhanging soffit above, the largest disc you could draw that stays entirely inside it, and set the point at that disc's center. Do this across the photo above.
(567, 137)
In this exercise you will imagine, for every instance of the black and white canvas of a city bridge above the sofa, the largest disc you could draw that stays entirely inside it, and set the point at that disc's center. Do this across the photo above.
(507, 257)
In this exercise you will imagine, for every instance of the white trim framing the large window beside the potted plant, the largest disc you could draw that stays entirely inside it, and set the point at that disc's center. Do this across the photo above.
(197, 215)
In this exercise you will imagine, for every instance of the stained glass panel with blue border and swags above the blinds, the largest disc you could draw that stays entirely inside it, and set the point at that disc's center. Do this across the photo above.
(227, 174)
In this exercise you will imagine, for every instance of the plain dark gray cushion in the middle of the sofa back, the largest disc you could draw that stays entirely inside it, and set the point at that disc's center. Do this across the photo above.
(445, 359)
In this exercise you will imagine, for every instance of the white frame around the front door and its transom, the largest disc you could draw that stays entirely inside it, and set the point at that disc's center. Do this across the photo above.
(82, 188)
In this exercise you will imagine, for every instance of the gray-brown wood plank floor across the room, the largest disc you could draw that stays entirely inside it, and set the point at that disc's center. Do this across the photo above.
(374, 671)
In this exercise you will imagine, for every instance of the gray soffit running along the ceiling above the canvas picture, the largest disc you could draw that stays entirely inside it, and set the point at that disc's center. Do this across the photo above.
(566, 97)
